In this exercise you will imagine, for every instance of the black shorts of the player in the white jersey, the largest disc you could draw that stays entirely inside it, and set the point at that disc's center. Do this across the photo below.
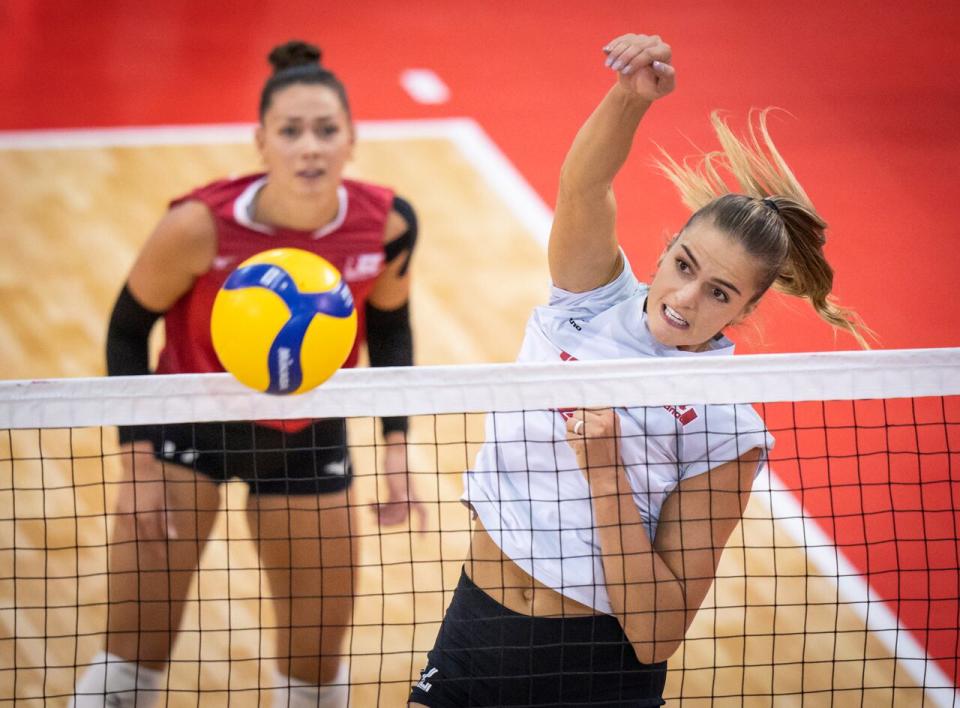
(488, 655)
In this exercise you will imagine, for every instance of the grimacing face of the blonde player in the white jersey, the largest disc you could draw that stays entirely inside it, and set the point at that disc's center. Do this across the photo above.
(705, 282)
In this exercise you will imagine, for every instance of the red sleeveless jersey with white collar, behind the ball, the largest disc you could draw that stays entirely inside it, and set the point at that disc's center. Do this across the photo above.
(353, 242)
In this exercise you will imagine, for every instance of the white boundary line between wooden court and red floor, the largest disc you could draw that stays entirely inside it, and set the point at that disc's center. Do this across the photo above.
(527, 206)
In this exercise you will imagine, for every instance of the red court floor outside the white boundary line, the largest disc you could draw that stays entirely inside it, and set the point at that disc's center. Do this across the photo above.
(873, 100)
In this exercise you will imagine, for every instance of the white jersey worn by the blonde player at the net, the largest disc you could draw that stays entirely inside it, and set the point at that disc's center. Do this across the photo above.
(526, 486)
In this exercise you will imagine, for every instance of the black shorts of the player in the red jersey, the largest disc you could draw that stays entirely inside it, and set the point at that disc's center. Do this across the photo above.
(314, 460)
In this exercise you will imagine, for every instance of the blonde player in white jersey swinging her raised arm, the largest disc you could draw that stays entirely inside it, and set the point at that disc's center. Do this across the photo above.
(598, 532)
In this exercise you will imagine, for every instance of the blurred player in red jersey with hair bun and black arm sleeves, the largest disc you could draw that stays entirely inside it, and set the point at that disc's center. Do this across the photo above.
(298, 472)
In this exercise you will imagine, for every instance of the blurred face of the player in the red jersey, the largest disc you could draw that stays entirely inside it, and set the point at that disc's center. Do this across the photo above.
(306, 139)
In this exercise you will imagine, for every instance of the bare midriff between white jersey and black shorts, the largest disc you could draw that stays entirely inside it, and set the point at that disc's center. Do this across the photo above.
(510, 585)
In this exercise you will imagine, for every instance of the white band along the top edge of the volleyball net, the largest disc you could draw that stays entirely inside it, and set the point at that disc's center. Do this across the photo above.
(856, 375)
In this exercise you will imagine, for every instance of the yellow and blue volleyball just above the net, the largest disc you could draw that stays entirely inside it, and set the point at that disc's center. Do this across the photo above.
(284, 321)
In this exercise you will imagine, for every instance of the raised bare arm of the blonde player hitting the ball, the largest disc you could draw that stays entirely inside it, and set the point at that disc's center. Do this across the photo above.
(583, 252)
